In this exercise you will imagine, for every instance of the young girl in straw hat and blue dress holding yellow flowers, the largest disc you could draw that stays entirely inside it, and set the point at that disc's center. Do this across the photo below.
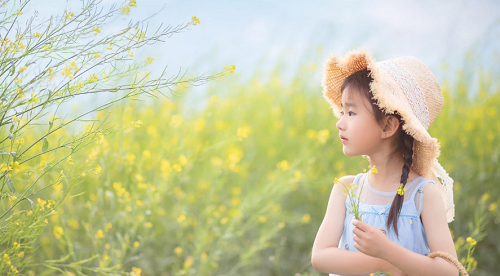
(384, 111)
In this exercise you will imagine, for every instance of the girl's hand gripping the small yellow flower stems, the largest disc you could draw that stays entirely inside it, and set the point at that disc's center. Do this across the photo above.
(370, 240)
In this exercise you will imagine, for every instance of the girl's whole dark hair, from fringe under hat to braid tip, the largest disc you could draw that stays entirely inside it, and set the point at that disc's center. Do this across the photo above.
(360, 82)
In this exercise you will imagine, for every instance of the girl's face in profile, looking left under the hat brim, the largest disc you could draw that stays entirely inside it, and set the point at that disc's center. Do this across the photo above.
(358, 125)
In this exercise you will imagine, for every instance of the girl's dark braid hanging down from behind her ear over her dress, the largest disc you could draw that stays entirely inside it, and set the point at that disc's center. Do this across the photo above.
(406, 143)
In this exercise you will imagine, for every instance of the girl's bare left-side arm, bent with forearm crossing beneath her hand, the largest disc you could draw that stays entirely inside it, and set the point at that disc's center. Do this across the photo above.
(326, 256)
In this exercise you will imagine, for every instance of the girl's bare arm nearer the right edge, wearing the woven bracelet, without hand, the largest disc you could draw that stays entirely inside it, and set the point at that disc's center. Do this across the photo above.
(438, 236)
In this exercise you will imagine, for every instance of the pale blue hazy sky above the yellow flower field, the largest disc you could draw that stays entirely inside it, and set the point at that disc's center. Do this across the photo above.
(257, 35)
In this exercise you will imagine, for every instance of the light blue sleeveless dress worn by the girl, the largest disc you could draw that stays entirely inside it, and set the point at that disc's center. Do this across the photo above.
(375, 206)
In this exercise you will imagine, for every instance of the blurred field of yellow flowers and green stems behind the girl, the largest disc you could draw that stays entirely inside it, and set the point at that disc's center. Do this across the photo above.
(241, 187)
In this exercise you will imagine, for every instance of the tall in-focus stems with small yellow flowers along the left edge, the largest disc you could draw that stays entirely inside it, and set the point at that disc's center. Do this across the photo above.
(55, 61)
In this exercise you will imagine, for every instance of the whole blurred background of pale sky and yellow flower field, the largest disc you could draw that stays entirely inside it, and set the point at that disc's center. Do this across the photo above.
(233, 177)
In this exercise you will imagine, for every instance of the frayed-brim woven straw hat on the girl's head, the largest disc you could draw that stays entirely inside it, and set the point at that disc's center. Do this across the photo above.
(404, 85)
